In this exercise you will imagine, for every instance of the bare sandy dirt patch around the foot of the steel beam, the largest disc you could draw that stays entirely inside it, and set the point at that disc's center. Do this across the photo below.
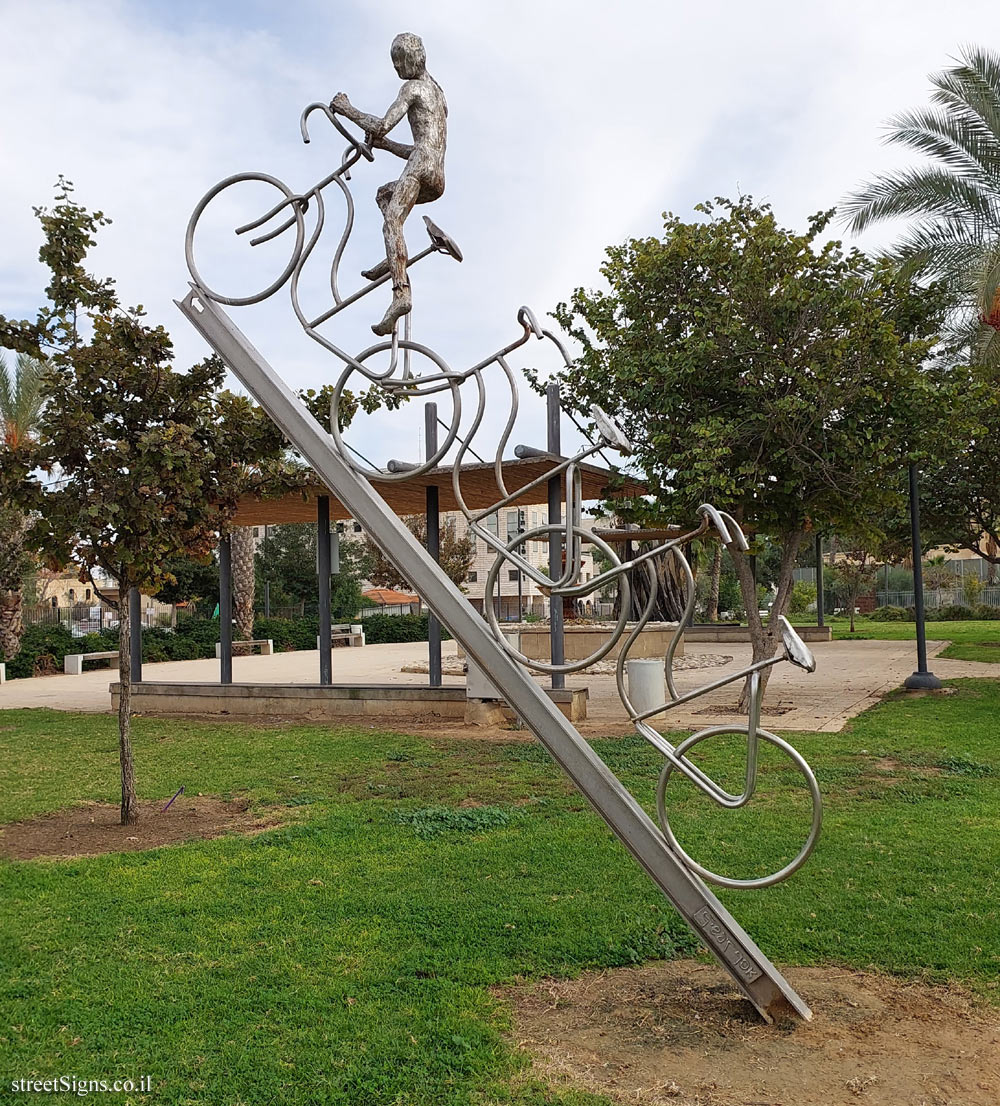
(679, 1034)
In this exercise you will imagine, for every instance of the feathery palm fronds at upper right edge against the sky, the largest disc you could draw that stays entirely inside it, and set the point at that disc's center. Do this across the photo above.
(954, 202)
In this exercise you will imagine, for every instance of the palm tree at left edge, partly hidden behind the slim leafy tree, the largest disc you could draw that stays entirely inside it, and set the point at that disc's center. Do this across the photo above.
(20, 406)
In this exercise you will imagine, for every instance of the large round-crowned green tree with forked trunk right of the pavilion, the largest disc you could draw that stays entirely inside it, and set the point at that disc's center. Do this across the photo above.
(759, 371)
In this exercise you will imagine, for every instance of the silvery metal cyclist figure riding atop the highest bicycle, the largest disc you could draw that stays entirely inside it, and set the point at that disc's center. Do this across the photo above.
(423, 102)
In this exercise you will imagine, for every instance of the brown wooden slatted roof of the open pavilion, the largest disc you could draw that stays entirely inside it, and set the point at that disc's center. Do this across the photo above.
(409, 496)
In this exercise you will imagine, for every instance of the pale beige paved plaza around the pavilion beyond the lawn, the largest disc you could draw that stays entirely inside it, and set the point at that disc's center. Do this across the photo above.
(850, 677)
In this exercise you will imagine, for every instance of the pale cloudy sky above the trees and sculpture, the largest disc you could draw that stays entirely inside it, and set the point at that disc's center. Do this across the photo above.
(572, 128)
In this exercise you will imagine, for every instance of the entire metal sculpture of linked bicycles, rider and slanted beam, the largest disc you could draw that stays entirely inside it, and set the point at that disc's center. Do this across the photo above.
(407, 370)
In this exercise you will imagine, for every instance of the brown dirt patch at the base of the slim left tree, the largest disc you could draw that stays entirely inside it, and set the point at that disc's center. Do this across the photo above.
(96, 828)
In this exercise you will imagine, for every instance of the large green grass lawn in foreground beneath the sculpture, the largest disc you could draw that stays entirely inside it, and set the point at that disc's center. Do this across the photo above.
(348, 957)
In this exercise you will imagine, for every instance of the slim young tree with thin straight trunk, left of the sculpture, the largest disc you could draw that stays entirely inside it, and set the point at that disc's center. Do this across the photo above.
(149, 457)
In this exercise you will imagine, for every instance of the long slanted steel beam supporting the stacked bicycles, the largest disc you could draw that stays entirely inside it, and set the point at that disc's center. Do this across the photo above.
(720, 932)
